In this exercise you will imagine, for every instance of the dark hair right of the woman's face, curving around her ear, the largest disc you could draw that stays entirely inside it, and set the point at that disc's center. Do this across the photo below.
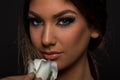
(95, 14)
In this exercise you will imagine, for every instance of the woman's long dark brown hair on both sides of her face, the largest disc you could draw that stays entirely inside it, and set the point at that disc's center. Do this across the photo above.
(94, 12)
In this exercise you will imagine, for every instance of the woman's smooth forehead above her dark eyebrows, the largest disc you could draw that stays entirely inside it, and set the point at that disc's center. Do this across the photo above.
(51, 6)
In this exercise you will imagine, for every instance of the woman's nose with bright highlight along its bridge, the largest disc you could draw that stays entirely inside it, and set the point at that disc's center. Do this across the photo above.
(48, 37)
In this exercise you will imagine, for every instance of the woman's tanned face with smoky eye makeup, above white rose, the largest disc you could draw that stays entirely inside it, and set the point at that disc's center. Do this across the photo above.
(58, 31)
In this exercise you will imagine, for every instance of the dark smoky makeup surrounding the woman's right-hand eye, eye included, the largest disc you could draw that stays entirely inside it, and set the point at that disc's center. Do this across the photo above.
(66, 20)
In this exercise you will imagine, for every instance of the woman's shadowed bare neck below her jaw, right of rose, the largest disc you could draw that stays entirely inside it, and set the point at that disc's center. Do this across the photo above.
(78, 71)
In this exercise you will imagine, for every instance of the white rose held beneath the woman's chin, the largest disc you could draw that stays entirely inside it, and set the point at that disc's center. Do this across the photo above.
(43, 69)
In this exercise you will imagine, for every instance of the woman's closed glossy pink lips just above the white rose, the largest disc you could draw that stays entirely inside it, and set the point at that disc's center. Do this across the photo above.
(51, 55)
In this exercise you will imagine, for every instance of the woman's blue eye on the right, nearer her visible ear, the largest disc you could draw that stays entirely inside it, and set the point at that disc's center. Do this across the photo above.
(66, 21)
